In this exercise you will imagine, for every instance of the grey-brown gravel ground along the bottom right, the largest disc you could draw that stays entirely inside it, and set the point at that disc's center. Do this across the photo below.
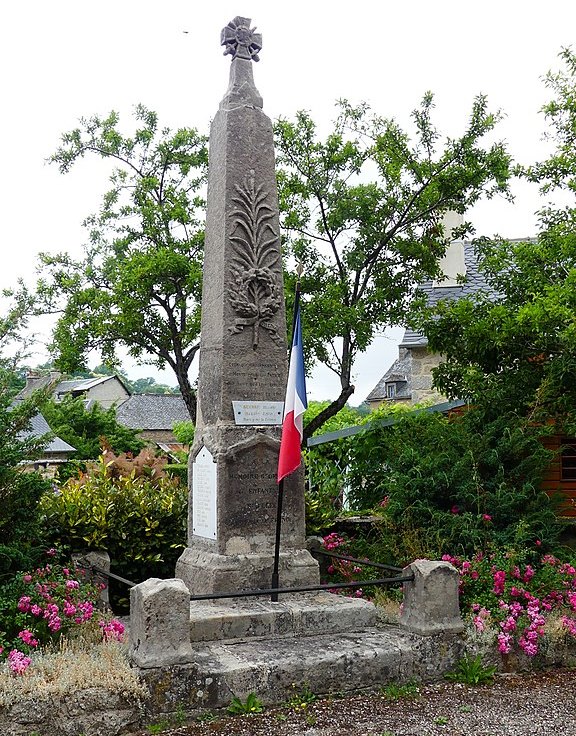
(515, 705)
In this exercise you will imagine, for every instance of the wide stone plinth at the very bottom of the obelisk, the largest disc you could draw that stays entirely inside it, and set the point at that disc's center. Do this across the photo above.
(206, 572)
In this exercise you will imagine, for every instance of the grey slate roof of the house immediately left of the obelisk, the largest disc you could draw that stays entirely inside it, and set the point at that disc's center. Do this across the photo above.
(152, 411)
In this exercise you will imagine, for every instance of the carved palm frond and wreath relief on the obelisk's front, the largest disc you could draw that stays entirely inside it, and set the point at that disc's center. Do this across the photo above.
(255, 290)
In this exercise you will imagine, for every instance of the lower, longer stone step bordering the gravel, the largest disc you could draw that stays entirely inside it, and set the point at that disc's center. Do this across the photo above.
(275, 669)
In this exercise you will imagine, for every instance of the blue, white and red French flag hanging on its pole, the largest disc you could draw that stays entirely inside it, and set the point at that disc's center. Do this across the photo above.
(294, 406)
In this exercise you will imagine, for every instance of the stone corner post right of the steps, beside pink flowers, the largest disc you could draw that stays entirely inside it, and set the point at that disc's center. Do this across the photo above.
(431, 603)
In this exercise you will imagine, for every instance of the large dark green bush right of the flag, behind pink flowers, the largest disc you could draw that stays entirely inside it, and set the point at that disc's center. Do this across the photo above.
(450, 484)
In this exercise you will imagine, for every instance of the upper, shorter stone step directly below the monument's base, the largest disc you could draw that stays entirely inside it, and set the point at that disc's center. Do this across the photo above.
(296, 616)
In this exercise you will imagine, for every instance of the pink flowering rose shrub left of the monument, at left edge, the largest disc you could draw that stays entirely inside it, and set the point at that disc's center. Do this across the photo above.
(42, 606)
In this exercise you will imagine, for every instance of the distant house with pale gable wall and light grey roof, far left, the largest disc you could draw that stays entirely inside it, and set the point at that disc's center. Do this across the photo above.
(105, 390)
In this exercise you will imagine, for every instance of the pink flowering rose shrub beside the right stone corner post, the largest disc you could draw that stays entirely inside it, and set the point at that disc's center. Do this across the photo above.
(501, 591)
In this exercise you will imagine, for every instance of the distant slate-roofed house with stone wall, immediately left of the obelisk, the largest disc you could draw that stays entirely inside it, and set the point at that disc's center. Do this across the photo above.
(154, 415)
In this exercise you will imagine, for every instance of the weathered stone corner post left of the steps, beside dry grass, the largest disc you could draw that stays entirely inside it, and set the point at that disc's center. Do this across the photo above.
(160, 623)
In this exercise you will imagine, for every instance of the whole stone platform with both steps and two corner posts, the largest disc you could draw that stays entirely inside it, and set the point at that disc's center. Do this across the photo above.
(201, 654)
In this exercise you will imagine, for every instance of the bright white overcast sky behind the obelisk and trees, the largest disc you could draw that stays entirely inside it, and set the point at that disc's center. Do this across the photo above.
(71, 58)
